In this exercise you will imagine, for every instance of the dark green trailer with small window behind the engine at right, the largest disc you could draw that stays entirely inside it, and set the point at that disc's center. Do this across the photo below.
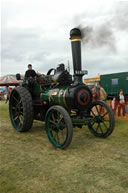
(112, 83)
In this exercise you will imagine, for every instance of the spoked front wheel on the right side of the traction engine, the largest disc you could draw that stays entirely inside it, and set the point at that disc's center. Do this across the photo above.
(103, 119)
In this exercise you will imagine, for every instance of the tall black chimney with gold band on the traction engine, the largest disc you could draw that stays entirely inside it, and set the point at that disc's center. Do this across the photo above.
(75, 37)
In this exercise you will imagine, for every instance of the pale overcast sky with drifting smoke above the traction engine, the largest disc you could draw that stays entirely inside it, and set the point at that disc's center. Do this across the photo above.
(37, 32)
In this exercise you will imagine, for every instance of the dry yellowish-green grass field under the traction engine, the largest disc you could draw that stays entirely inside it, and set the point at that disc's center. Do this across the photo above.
(30, 164)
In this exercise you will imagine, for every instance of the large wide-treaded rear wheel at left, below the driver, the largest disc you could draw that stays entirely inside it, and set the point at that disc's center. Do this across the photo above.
(20, 109)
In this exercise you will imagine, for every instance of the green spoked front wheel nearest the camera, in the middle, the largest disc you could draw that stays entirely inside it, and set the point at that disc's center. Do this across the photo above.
(58, 126)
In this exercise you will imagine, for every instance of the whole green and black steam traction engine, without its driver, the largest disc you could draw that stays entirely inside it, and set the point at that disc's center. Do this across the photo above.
(60, 102)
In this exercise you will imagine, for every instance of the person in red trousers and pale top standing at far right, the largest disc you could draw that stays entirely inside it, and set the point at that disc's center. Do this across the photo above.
(121, 103)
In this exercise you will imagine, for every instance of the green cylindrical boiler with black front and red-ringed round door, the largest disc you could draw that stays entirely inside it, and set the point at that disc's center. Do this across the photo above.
(71, 97)
